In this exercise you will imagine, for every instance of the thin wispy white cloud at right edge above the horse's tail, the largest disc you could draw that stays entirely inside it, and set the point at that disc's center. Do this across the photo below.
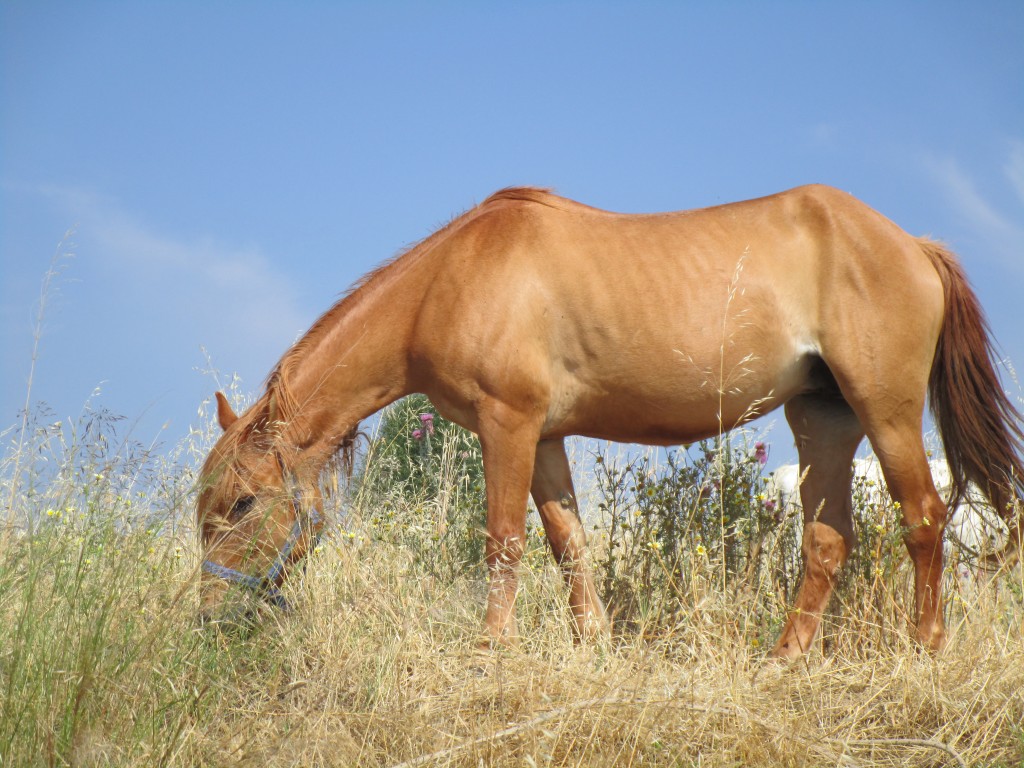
(1002, 233)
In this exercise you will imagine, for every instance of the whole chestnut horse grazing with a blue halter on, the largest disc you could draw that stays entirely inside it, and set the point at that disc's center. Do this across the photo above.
(532, 318)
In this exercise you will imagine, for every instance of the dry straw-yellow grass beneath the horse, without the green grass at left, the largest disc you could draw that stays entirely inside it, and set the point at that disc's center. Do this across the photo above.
(379, 668)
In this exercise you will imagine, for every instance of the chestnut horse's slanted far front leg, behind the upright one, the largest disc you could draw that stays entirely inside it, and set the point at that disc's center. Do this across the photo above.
(556, 499)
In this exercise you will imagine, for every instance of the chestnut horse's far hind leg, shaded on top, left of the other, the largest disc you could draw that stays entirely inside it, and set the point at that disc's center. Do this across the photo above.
(828, 434)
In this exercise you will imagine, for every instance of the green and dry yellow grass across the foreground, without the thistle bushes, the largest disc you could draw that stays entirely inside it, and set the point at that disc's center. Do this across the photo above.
(103, 665)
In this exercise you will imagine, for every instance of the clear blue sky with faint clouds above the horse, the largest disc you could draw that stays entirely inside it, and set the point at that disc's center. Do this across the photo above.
(230, 168)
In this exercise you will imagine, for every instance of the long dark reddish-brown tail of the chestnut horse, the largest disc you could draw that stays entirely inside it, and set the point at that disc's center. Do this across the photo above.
(982, 430)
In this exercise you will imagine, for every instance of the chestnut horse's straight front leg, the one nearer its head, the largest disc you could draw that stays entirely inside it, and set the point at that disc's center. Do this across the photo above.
(509, 444)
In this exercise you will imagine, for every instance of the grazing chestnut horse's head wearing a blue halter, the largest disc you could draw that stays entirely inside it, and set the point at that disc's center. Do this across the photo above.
(258, 516)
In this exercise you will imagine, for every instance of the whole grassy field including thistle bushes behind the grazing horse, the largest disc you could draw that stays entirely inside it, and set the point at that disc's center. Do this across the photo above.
(102, 663)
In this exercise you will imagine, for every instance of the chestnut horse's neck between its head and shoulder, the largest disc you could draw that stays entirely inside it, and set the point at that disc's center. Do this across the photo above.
(349, 370)
